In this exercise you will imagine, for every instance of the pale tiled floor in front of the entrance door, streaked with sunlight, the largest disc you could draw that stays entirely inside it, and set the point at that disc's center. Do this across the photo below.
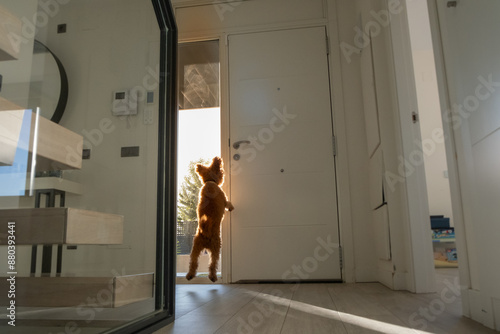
(320, 308)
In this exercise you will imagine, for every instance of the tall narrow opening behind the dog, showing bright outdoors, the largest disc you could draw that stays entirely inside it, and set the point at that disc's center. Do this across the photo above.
(198, 141)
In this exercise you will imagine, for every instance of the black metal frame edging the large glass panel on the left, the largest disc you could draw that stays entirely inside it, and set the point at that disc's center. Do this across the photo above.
(167, 178)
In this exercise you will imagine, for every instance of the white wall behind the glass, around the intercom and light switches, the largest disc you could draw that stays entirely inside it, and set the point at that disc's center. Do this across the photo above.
(109, 45)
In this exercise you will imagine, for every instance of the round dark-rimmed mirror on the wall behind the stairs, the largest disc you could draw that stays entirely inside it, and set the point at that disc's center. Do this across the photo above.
(49, 84)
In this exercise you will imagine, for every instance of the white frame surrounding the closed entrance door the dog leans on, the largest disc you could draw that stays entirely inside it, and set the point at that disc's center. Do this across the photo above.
(342, 167)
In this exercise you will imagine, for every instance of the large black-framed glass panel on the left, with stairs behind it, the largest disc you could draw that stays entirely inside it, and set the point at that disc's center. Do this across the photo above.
(87, 165)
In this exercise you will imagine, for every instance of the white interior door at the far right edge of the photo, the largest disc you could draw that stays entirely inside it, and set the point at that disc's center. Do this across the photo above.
(472, 52)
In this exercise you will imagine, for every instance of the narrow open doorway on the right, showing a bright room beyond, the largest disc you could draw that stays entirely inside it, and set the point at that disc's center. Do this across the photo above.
(441, 222)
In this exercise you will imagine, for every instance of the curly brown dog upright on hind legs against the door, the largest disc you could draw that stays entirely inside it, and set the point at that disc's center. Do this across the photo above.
(212, 203)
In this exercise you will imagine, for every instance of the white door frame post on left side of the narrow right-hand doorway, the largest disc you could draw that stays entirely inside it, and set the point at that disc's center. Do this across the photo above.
(421, 278)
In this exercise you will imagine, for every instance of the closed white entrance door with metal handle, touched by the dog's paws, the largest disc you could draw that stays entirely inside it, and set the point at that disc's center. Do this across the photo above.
(283, 187)
